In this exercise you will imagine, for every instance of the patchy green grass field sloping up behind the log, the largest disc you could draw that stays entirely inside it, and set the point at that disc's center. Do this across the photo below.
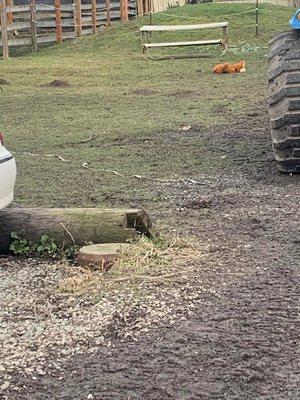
(135, 133)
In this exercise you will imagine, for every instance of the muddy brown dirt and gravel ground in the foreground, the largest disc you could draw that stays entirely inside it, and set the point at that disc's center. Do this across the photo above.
(226, 330)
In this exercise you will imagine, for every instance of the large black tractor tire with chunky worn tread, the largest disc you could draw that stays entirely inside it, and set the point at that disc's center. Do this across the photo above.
(284, 99)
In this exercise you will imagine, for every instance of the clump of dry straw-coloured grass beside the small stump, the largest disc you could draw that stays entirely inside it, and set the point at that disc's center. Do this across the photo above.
(152, 260)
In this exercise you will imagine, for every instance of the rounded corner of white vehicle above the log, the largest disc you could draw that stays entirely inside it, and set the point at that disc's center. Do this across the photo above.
(7, 175)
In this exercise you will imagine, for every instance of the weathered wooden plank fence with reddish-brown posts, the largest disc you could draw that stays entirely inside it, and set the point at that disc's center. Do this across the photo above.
(35, 23)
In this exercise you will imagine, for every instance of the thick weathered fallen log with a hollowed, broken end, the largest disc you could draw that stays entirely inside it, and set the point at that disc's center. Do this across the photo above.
(73, 225)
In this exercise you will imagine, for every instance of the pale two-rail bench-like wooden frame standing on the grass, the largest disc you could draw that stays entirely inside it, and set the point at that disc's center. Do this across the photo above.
(147, 30)
